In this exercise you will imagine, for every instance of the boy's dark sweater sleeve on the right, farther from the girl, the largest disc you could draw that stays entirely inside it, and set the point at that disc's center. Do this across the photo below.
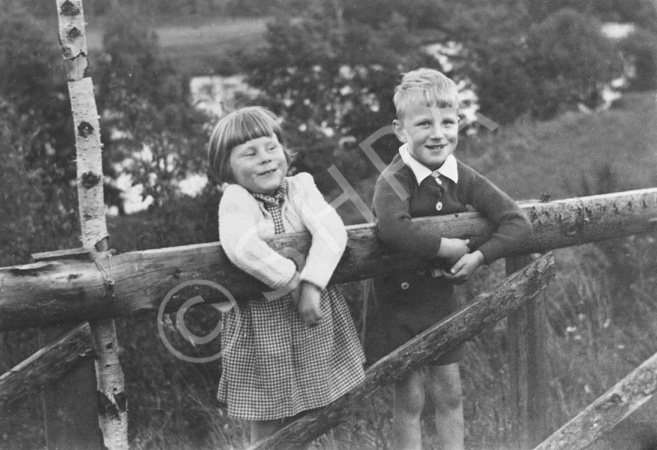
(513, 226)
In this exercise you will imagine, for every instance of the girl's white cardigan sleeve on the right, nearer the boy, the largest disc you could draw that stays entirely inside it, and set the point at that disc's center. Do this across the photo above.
(329, 236)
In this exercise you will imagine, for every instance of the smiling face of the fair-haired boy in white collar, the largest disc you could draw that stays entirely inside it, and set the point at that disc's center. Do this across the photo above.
(431, 133)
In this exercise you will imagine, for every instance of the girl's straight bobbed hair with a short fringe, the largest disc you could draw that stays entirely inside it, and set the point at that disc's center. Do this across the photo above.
(236, 128)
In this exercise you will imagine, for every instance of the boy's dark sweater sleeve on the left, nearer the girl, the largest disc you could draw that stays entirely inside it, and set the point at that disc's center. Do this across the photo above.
(394, 225)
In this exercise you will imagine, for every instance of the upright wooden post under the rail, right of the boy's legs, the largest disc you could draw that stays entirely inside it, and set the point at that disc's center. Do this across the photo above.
(526, 333)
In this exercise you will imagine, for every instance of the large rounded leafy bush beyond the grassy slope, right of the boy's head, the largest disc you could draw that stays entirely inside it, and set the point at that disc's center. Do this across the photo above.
(540, 69)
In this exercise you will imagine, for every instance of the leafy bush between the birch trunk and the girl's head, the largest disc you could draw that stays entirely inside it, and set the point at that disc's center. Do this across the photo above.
(151, 131)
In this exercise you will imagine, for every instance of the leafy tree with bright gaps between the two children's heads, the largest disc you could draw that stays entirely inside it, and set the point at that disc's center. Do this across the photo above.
(332, 80)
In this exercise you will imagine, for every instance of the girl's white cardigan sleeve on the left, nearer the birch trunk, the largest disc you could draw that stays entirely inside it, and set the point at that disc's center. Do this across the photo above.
(239, 235)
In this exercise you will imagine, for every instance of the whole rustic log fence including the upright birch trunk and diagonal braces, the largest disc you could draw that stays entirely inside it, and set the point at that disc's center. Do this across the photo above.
(70, 287)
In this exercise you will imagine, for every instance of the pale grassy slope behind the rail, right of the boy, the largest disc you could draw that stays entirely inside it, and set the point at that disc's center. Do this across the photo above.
(575, 154)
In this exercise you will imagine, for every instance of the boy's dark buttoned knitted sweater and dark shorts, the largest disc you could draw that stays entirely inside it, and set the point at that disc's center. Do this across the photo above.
(409, 303)
